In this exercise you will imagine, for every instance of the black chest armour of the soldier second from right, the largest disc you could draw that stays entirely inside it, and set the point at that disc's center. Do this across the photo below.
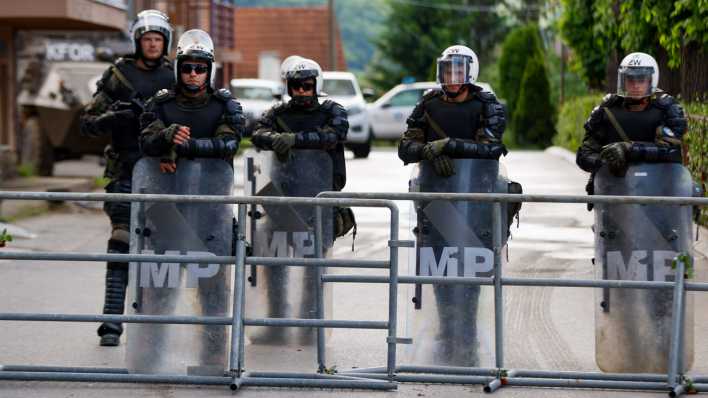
(455, 119)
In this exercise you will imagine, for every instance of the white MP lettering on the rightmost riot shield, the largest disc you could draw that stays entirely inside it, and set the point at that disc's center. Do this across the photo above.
(642, 265)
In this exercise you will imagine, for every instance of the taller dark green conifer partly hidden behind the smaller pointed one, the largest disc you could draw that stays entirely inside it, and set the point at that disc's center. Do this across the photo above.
(519, 46)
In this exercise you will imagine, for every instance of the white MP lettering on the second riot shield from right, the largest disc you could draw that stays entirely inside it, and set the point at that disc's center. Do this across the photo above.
(456, 261)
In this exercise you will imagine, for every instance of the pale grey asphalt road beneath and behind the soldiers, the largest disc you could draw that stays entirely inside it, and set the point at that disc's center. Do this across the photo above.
(546, 328)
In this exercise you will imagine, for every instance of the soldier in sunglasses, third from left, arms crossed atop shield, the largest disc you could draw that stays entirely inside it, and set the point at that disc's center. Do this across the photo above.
(305, 123)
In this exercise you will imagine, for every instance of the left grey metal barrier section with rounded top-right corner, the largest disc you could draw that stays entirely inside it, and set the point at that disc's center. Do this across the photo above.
(237, 376)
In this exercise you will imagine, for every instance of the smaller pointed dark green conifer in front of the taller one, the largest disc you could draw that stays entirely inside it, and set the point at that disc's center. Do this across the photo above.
(533, 122)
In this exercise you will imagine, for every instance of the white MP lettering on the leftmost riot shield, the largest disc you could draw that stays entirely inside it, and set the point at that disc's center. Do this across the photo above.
(169, 275)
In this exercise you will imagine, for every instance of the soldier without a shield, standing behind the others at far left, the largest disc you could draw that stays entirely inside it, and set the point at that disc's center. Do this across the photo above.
(114, 111)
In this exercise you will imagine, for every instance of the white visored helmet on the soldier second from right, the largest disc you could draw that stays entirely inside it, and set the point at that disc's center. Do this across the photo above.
(459, 64)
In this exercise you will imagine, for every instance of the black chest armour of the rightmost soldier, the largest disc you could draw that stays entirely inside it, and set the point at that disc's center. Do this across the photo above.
(639, 126)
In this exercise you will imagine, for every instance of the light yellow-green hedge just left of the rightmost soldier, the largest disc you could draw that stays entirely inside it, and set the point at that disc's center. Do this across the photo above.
(571, 118)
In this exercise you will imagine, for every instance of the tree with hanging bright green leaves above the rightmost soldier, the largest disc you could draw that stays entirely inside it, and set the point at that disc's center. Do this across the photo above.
(674, 31)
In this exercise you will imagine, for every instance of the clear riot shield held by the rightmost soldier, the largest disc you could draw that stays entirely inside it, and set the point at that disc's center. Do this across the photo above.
(639, 242)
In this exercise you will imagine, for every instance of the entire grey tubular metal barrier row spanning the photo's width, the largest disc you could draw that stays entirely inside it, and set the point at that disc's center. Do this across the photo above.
(385, 378)
